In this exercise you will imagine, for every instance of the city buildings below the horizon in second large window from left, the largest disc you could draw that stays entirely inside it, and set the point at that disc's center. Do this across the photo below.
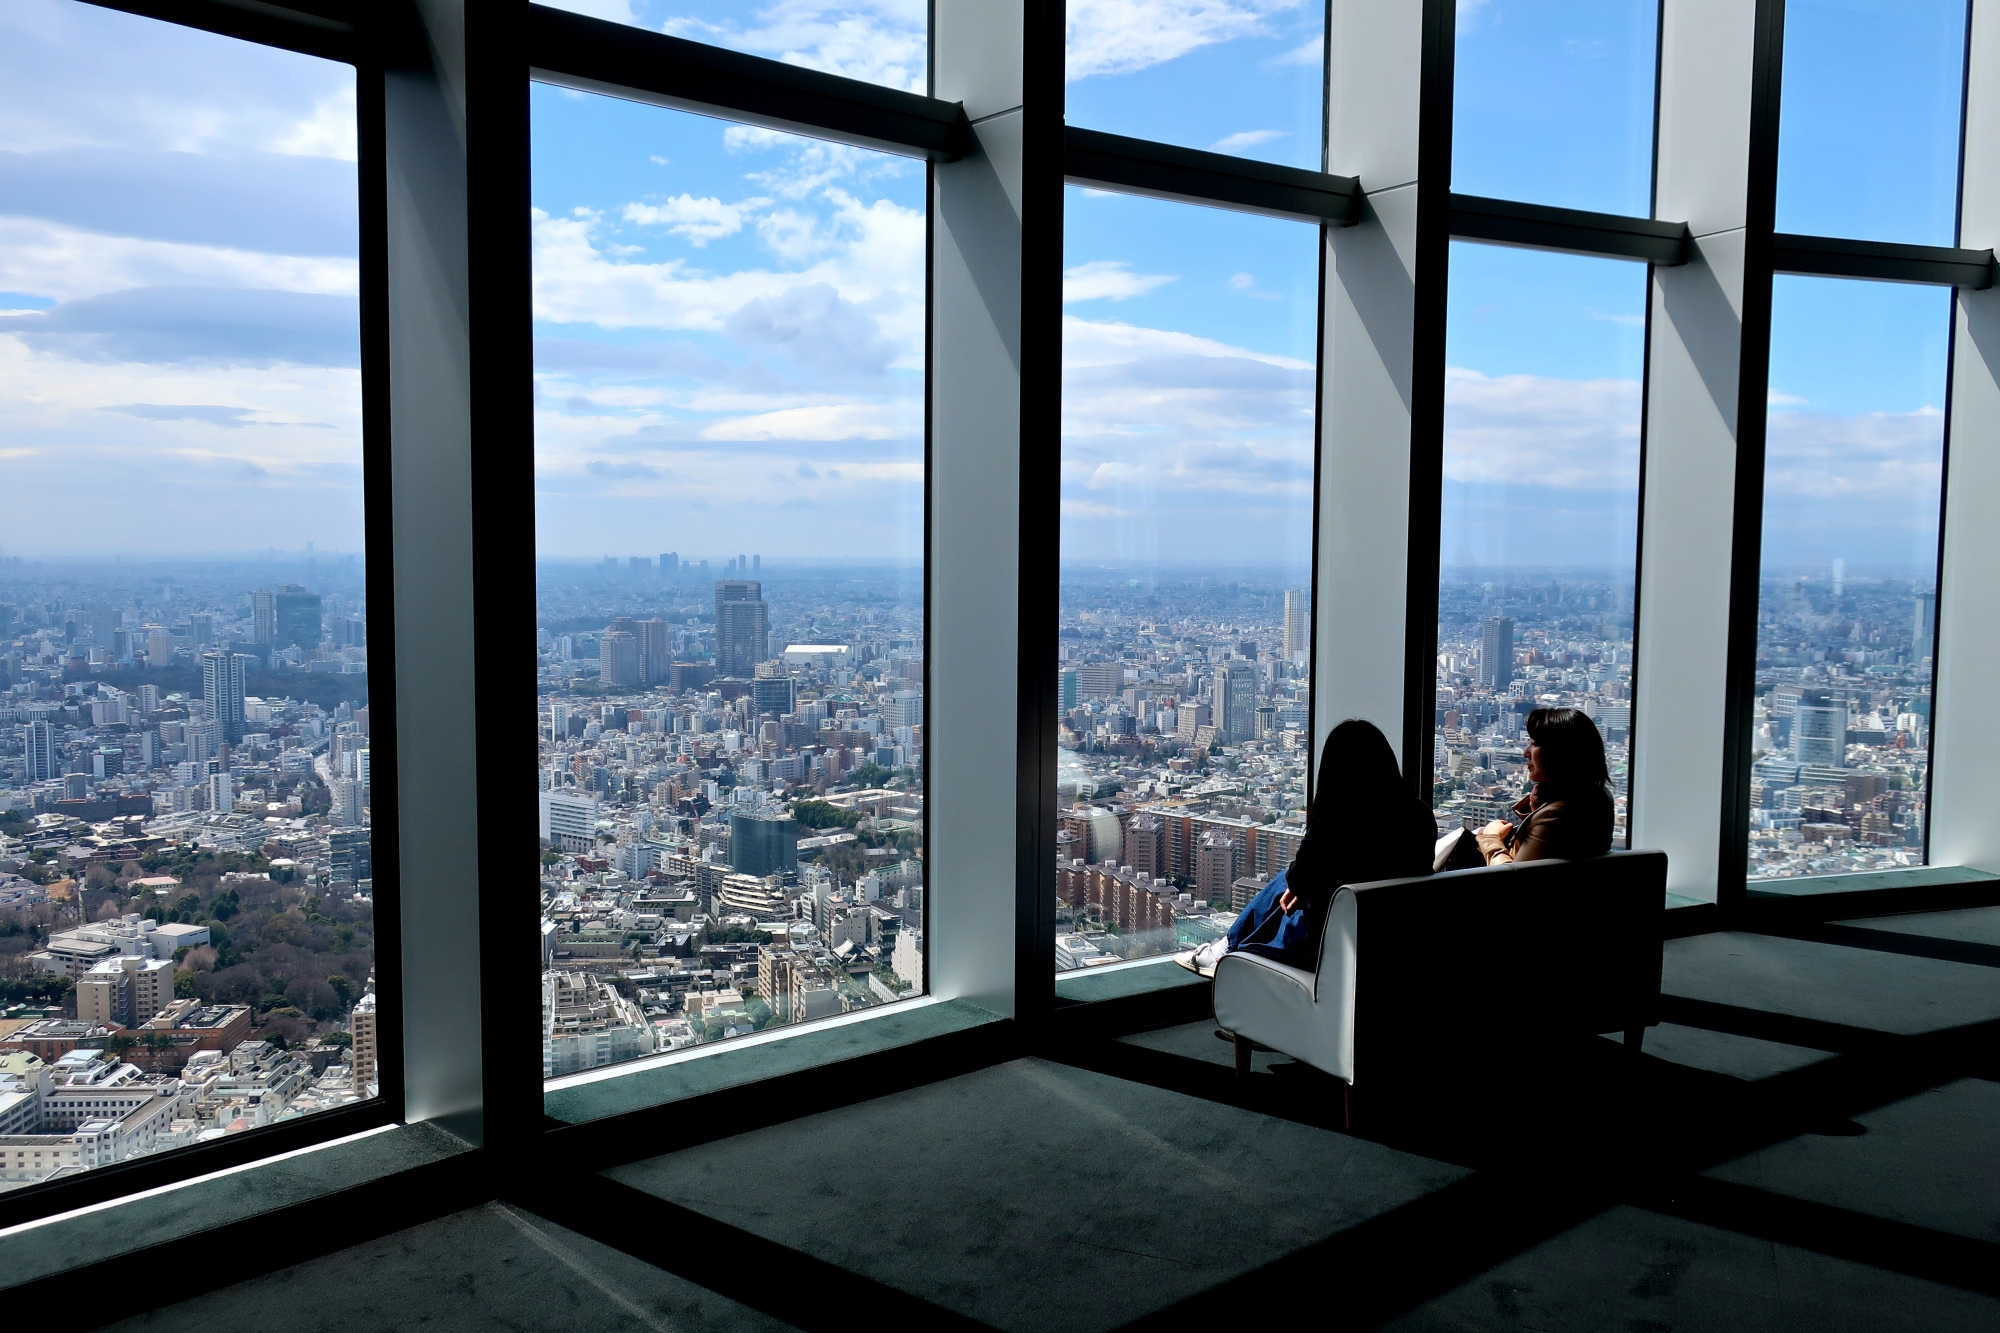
(731, 798)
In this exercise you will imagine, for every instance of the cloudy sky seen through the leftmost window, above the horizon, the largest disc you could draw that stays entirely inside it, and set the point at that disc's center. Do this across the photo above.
(179, 323)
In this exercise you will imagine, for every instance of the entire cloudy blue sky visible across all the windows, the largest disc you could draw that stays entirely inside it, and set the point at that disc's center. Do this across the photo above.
(731, 321)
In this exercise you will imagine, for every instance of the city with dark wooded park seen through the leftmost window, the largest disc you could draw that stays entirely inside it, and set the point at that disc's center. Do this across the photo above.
(187, 894)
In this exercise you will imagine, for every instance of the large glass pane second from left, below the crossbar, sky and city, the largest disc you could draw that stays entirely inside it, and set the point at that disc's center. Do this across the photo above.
(731, 583)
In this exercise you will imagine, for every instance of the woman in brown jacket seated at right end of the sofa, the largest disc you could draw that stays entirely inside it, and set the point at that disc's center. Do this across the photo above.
(1569, 812)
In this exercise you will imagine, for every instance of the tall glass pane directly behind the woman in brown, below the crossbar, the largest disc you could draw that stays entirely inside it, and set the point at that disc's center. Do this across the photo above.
(1545, 355)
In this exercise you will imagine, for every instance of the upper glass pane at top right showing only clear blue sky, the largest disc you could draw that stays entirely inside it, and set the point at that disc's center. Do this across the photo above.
(1869, 135)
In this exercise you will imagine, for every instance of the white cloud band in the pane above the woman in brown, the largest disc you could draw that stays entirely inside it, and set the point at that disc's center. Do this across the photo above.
(1577, 435)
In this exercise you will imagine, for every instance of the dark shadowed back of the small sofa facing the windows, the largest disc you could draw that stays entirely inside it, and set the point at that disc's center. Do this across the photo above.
(1547, 946)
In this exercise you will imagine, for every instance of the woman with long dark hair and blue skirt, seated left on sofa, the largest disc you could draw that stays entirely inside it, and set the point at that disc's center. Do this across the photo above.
(1373, 830)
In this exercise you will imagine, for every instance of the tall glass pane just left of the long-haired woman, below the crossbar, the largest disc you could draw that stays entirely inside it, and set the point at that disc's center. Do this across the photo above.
(1187, 569)
